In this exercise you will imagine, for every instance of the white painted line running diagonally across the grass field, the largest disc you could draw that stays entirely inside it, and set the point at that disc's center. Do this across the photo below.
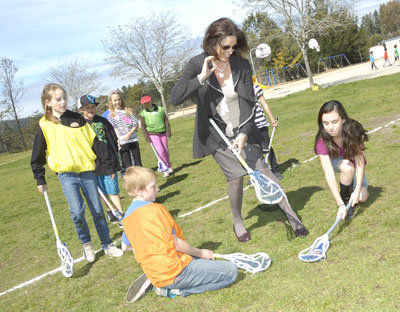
(181, 216)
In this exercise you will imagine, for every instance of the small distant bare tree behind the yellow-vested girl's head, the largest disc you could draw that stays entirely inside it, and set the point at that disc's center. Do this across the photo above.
(76, 78)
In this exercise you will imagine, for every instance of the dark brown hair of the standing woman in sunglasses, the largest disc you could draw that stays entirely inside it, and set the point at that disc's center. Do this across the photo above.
(218, 31)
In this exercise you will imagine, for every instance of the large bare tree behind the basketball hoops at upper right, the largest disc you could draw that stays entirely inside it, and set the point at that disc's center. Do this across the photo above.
(305, 19)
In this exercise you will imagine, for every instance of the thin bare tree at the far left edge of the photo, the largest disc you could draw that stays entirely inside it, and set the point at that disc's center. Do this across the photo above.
(11, 92)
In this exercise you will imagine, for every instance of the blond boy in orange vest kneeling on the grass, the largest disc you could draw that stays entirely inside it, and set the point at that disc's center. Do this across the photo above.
(171, 265)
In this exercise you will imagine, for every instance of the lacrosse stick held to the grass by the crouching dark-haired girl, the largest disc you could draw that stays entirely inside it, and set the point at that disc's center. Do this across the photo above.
(317, 251)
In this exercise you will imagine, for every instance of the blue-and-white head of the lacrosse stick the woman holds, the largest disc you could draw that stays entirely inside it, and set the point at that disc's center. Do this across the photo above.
(267, 191)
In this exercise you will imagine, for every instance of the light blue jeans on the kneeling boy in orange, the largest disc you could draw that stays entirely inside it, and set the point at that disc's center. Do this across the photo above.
(201, 275)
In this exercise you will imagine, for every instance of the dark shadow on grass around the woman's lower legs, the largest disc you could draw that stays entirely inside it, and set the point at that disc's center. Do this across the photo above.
(297, 199)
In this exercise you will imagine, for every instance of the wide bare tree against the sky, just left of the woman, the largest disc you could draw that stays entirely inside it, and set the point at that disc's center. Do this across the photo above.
(153, 48)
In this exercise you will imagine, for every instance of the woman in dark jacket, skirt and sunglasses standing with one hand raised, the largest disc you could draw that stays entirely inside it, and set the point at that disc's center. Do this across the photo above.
(222, 82)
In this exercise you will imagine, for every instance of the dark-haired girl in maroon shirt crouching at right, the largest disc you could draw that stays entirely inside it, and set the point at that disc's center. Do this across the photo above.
(340, 145)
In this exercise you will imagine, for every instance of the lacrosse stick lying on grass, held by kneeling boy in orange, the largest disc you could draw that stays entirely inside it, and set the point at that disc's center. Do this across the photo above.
(250, 263)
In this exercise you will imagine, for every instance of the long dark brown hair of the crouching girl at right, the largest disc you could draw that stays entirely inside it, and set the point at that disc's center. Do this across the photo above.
(353, 133)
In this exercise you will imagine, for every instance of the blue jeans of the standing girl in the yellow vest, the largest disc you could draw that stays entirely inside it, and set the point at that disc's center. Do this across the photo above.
(71, 184)
